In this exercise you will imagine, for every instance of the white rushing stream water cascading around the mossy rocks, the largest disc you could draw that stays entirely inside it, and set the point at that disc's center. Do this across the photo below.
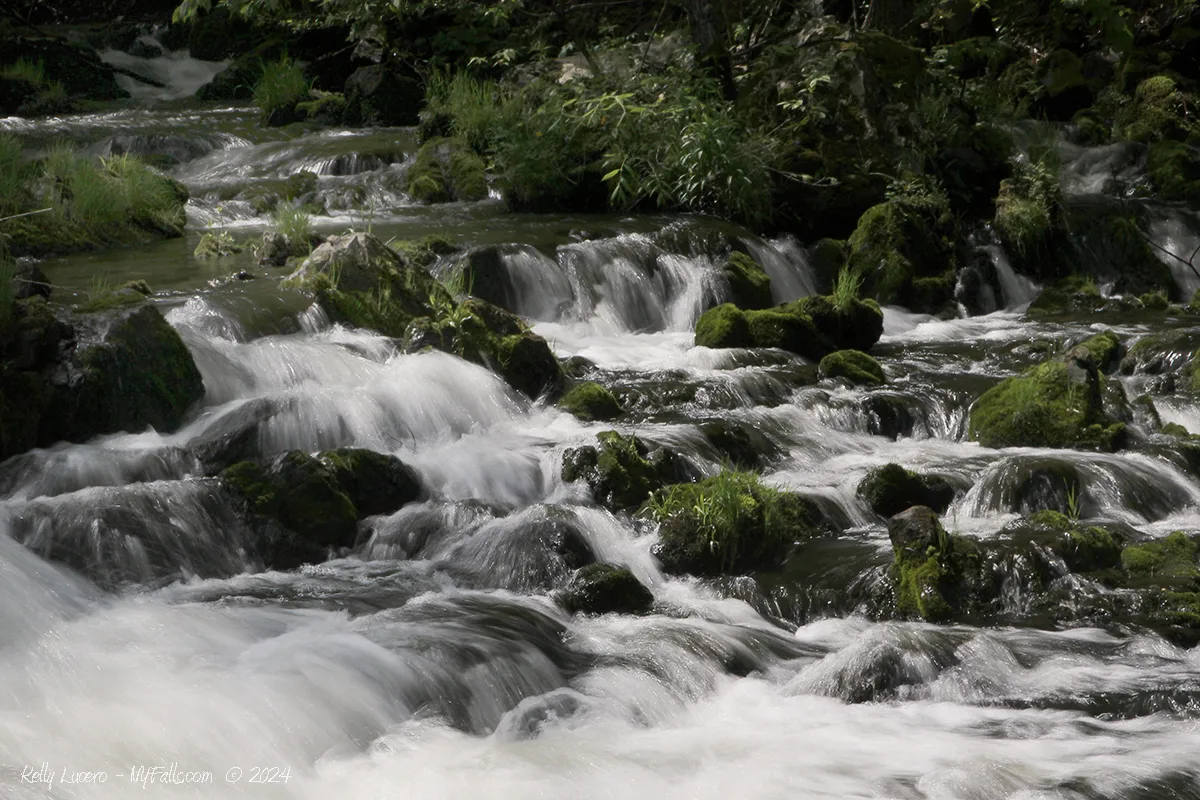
(430, 661)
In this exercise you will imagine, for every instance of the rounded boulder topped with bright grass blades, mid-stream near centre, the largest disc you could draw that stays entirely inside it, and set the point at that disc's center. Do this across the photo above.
(730, 525)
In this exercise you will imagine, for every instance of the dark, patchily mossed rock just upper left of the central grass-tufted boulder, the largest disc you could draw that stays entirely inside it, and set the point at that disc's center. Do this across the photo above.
(623, 471)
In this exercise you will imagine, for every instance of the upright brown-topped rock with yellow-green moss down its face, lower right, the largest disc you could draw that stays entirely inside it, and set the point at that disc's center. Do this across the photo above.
(937, 576)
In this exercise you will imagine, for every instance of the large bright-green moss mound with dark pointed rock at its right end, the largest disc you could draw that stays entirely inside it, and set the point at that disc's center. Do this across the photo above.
(1061, 404)
